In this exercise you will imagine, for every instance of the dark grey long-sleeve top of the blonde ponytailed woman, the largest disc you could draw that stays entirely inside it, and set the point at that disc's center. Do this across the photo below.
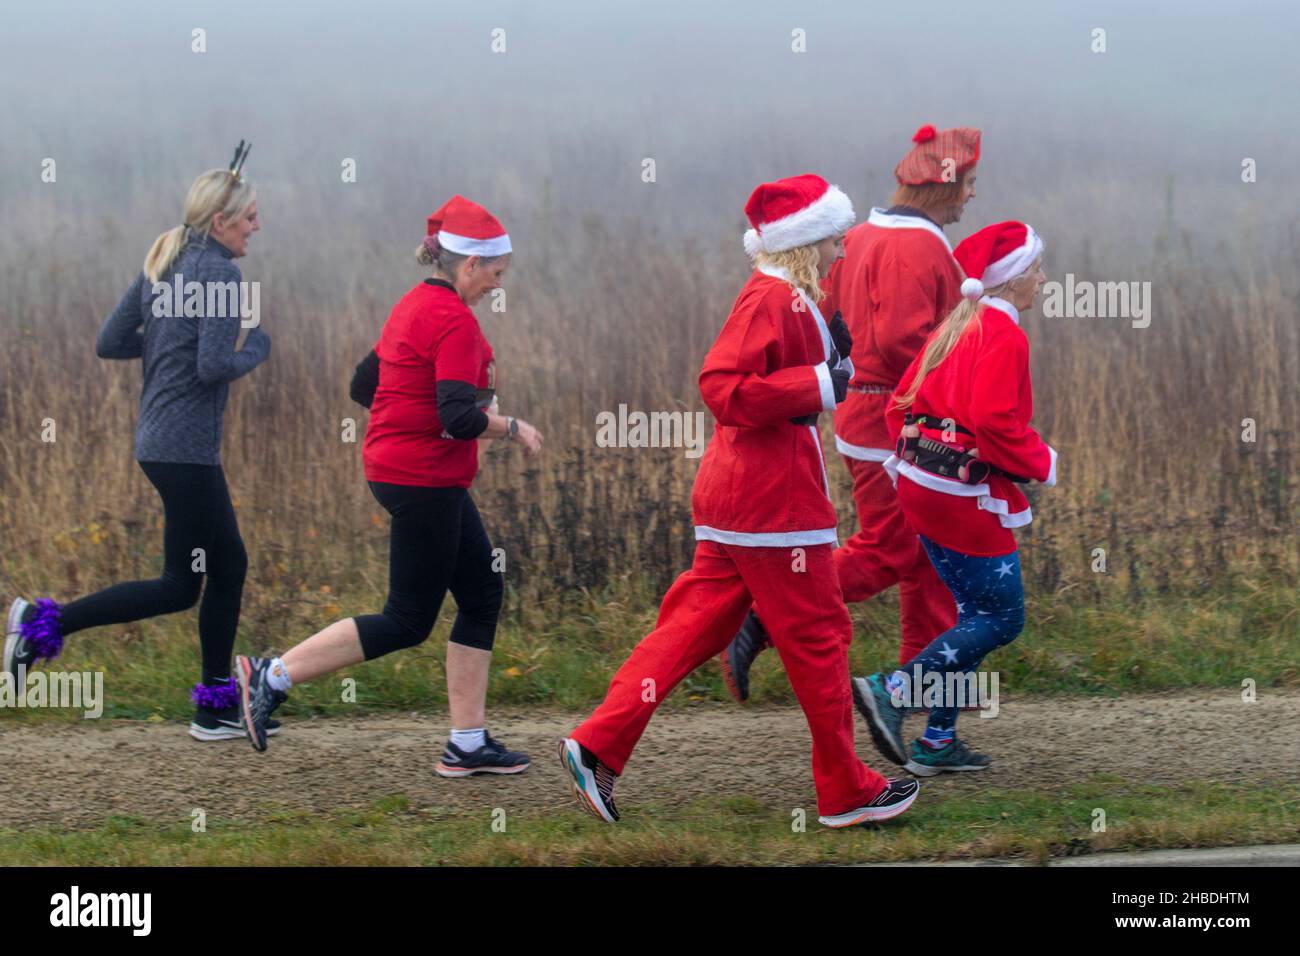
(189, 361)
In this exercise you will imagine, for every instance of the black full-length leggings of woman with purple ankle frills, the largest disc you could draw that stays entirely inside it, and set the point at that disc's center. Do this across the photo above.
(200, 516)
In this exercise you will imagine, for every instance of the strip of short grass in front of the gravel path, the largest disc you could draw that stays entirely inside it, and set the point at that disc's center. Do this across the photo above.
(733, 832)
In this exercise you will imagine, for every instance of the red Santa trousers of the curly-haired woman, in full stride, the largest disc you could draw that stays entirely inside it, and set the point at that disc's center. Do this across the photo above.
(805, 616)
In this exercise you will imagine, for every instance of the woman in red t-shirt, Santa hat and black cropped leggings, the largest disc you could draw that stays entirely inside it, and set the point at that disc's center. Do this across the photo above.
(430, 386)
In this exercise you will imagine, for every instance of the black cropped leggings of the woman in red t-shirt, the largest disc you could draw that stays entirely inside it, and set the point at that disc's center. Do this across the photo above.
(437, 544)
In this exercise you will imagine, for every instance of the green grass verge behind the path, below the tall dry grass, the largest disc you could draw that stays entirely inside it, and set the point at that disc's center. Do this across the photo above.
(564, 654)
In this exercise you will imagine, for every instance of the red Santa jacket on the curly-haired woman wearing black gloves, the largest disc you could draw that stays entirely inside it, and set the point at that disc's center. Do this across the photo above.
(762, 481)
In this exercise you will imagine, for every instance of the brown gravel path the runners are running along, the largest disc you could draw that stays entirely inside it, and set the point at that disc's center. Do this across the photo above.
(79, 776)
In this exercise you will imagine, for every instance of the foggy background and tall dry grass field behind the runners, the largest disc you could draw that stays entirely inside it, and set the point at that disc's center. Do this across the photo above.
(1129, 165)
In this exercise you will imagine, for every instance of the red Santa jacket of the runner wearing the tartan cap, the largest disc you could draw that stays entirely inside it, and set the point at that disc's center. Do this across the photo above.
(896, 283)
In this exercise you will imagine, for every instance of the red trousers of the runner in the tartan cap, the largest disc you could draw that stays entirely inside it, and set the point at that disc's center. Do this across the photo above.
(887, 552)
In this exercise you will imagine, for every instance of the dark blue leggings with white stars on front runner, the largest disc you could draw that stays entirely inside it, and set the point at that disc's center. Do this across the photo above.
(990, 613)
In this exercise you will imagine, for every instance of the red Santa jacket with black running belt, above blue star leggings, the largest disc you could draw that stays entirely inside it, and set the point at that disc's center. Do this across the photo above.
(982, 386)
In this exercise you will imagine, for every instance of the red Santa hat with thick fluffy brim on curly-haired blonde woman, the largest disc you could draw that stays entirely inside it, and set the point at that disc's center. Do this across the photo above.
(798, 211)
